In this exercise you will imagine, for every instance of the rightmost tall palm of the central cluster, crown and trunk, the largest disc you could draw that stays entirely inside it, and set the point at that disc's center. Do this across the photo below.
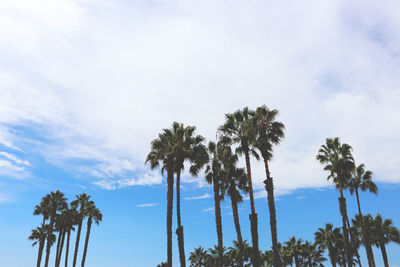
(270, 132)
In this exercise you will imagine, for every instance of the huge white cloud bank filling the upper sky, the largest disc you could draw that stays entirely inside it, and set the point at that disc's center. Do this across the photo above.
(99, 90)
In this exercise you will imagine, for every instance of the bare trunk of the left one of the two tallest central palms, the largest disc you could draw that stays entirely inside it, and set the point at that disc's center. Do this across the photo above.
(253, 215)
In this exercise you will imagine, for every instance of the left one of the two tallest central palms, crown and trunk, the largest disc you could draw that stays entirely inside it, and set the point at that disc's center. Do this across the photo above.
(241, 129)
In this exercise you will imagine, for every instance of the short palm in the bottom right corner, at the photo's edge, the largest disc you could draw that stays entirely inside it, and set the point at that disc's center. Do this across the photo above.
(383, 233)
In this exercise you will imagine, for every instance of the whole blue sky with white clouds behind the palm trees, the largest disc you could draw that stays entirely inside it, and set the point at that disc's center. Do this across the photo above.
(85, 85)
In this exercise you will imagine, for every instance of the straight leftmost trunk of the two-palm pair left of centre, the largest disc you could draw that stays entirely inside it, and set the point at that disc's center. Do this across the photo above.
(170, 199)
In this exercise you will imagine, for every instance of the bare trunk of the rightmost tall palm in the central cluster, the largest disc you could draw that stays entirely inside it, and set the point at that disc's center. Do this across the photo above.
(269, 186)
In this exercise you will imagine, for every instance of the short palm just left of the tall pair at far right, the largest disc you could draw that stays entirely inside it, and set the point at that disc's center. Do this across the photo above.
(325, 238)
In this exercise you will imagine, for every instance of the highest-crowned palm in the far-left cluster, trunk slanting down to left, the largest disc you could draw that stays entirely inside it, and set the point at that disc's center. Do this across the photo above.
(57, 202)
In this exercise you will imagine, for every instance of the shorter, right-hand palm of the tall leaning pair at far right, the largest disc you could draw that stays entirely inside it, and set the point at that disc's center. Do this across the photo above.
(362, 180)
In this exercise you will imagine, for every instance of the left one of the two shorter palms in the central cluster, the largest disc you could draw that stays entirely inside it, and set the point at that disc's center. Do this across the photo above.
(215, 175)
